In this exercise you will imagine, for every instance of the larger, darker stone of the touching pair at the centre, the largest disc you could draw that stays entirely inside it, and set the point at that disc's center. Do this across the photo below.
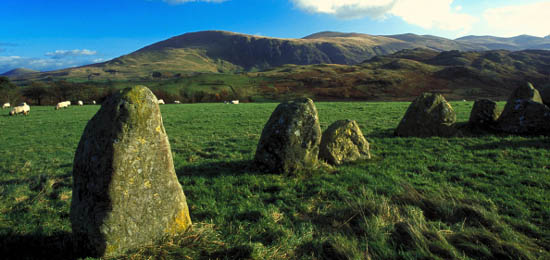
(290, 139)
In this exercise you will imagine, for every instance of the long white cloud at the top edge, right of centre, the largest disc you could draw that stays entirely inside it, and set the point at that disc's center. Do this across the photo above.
(428, 14)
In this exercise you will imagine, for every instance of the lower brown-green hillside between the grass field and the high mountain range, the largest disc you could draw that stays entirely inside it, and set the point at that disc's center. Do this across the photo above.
(396, 77)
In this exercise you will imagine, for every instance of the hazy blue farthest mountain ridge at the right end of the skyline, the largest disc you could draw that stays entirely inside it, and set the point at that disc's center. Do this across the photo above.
(522, 42)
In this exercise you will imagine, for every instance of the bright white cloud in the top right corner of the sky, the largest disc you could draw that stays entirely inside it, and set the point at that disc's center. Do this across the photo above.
(514, 20)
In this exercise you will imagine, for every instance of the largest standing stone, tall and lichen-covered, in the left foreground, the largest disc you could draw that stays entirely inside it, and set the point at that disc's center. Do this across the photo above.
(125, 190)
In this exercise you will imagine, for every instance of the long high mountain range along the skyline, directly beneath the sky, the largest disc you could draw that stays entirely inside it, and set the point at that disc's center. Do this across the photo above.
(228, 52)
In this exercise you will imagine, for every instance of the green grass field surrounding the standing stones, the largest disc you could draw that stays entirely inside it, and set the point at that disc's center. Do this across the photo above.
(484, 197)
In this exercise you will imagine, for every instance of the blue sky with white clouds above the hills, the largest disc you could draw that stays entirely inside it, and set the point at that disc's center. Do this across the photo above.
(53, 34)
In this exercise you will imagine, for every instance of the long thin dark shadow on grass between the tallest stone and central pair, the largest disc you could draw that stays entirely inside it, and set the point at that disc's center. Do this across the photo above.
(219, 168)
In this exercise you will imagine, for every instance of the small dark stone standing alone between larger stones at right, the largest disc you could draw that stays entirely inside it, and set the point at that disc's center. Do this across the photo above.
(484, 114)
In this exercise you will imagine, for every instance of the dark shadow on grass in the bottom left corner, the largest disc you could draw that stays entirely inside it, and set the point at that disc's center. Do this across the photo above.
(58, 246)
